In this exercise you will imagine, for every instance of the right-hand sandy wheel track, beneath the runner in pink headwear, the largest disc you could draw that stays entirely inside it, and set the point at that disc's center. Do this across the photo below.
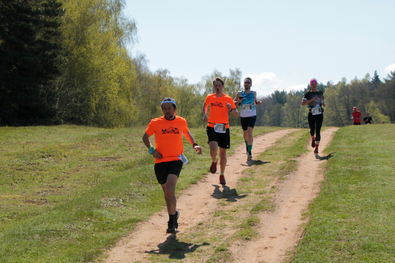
(282, 229)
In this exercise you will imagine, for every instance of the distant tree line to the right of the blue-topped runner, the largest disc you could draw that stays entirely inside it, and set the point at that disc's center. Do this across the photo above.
(369, 94)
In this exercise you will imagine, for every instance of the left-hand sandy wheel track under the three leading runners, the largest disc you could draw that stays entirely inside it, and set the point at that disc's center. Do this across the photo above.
(194, 205)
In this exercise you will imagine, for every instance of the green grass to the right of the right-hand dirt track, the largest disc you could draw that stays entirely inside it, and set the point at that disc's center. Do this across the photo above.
(353, 219)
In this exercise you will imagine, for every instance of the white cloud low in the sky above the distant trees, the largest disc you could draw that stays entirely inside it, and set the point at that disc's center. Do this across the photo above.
(266, 83)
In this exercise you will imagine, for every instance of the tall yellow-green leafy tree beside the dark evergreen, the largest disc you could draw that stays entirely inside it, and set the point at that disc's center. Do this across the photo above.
(98, 81)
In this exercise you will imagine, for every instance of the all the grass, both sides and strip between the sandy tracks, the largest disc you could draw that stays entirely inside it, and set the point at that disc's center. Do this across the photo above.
(69, 192)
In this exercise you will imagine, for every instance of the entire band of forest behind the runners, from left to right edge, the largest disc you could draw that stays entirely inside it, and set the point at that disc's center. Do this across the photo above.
(66, 61)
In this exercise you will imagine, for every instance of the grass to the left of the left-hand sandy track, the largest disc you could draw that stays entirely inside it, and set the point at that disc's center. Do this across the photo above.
(67, 193)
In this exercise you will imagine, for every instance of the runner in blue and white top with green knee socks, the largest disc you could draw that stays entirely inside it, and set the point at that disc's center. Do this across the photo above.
(247, 100)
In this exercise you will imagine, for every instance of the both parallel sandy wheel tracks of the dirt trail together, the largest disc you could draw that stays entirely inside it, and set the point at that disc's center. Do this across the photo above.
(280, 229)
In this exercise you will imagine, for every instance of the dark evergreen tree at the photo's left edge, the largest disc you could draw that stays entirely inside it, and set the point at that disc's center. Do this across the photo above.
(28, 52)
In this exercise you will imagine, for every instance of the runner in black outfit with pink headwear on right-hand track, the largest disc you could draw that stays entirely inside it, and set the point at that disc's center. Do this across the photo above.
(315, 100)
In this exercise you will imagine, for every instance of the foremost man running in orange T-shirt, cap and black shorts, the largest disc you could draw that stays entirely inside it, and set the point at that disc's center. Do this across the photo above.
(168, 153)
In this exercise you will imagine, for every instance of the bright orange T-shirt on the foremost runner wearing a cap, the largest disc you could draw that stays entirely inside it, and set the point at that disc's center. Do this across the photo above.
(168, 137)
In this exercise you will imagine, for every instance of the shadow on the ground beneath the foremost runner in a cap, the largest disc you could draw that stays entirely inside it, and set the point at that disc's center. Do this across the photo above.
(174, 248)
